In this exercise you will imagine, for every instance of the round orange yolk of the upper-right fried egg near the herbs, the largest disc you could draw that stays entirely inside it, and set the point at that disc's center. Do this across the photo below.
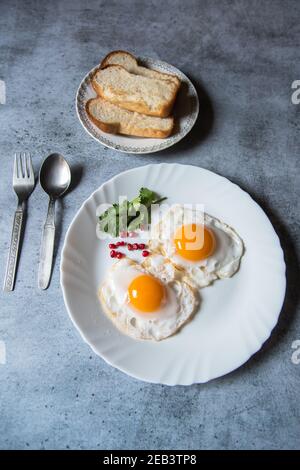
(194, 242)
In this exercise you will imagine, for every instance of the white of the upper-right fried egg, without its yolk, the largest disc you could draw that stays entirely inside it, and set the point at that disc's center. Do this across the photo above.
(224, 261)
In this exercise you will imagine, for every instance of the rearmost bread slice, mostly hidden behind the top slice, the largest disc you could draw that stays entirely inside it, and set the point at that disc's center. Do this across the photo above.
(129, 62)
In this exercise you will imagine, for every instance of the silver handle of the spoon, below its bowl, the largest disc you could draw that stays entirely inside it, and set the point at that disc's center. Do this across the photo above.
(47, 247)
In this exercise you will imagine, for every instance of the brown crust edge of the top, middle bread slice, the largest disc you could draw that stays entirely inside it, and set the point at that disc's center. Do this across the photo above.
(163, 111)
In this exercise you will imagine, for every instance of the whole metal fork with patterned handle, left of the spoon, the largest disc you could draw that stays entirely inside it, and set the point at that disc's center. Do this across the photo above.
(23, 184)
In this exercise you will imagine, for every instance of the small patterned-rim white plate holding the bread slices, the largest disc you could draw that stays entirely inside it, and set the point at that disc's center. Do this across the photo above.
(185, 112)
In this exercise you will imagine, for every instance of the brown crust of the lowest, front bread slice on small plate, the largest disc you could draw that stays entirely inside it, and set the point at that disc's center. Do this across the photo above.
(114, 128)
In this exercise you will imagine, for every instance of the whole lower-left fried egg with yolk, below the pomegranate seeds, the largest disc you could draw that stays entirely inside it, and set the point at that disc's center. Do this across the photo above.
(145, 306)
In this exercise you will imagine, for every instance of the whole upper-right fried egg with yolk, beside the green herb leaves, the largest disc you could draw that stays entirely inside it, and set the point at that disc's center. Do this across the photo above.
(201, 245)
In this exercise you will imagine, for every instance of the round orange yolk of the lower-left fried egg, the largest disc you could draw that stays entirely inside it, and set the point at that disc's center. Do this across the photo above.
(146, 293)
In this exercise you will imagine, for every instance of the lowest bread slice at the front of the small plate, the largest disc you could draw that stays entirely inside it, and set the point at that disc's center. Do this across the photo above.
(115, 120)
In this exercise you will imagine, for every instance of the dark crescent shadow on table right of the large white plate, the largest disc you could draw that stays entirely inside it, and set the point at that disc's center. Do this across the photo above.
(292, 296)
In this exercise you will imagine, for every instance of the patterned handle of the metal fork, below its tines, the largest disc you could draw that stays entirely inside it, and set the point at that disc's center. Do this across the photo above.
(13, 251)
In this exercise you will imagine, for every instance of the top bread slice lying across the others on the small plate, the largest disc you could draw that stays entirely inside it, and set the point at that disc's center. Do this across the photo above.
(134, 92)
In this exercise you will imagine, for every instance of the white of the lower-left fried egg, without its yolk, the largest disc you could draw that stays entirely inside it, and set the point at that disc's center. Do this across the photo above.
(178, 306)
